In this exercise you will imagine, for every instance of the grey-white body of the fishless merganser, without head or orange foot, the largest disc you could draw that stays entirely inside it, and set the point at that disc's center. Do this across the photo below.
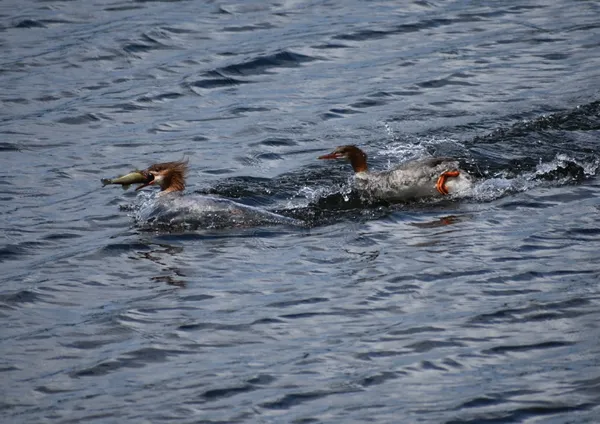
(413, 180)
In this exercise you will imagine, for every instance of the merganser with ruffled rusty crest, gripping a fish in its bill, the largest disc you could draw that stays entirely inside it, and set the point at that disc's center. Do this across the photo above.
(171, 209)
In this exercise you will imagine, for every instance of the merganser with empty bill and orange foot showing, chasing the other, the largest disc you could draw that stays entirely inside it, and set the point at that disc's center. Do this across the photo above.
(421, 178)
